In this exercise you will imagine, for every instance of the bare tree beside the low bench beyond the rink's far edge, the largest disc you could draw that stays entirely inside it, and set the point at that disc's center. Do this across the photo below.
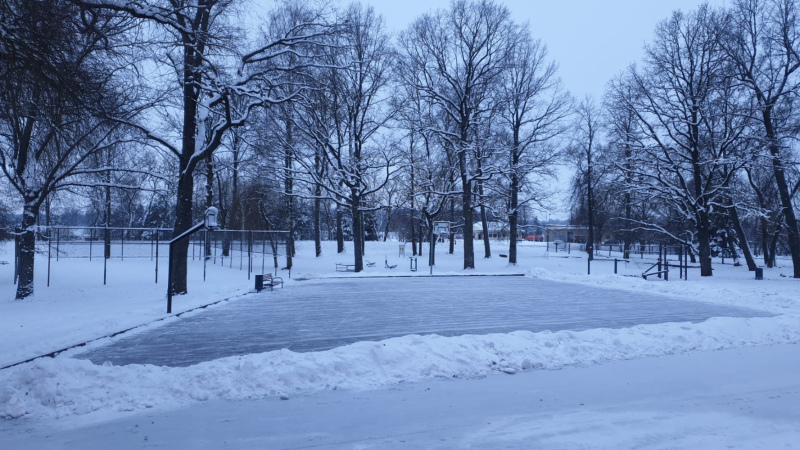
(344, 115)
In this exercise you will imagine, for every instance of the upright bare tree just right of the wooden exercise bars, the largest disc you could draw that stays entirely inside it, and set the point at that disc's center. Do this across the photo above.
(689, 111)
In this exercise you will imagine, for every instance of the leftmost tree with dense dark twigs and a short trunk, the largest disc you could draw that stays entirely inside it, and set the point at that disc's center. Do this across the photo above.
(59, 102)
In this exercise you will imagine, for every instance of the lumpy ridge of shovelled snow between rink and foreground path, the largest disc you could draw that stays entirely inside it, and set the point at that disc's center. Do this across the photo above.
(64, 386)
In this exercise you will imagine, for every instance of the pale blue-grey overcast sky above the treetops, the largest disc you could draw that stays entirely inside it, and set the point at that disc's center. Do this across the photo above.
(591, 40)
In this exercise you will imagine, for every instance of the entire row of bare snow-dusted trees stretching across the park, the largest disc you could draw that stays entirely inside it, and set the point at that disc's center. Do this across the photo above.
(323, 124)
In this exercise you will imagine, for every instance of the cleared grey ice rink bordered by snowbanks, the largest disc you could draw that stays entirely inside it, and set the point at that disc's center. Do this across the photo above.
(324, 314)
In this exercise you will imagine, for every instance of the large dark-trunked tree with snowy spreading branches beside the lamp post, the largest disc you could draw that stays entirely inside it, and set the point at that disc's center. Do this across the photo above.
(219, 85)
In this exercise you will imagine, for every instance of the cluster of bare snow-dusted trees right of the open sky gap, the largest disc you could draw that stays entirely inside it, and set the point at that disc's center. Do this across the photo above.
(698, 139)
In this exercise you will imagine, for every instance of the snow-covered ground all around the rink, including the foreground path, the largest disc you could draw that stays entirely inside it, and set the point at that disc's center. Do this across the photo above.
(650, 384)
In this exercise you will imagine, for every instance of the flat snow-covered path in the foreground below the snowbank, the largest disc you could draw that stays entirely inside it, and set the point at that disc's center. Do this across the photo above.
(737, 398)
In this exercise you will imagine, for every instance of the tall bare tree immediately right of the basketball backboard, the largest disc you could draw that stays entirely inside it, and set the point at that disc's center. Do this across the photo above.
(460, 53)
